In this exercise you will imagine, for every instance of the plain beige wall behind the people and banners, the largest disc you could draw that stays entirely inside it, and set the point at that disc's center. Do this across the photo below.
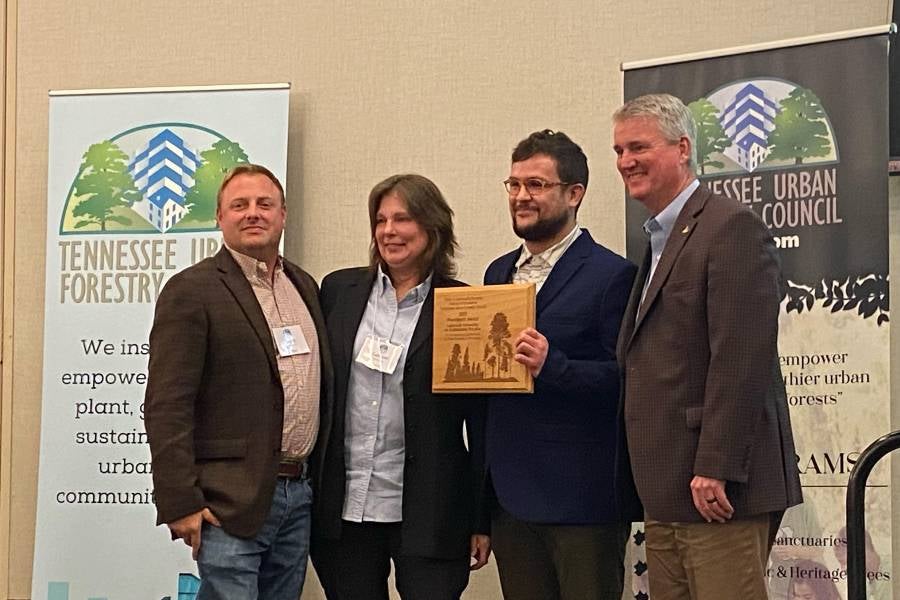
(442, 88)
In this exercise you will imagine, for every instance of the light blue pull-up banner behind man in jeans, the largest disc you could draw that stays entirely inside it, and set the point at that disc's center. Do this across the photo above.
(131, 200)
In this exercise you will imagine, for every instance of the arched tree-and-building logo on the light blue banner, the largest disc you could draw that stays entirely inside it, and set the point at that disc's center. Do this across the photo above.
(153, 178)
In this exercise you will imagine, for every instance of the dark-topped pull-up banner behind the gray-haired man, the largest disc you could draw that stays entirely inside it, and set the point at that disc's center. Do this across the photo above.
(799, 134)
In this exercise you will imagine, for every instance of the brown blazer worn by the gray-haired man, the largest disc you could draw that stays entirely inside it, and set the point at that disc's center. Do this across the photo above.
(702, 389)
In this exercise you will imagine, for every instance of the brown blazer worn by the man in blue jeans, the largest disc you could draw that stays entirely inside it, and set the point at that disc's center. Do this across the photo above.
(214, 402)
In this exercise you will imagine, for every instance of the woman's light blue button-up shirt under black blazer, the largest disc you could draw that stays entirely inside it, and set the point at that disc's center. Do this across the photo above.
(374, 442)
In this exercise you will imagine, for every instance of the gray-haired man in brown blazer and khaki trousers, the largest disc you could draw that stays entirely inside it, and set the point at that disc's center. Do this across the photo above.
(708, 435)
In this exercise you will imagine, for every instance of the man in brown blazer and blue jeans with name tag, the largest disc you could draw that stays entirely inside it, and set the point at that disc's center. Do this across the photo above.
(238, 365)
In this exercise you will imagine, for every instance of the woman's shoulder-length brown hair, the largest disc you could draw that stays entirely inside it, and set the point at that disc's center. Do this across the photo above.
(428, 208)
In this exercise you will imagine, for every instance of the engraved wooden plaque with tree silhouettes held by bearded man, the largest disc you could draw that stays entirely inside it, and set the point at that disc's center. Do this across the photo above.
(474, 329)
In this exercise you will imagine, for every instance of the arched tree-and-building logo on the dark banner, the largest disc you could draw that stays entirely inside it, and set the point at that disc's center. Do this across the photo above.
(760, 124)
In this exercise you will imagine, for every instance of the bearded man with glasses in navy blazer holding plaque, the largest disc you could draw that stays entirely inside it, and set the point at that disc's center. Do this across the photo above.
(558, 531)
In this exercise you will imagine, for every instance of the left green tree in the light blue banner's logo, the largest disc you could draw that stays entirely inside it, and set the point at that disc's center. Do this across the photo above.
(103, 185)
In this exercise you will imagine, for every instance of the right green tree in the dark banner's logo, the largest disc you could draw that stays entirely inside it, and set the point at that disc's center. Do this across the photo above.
(800, 129)
